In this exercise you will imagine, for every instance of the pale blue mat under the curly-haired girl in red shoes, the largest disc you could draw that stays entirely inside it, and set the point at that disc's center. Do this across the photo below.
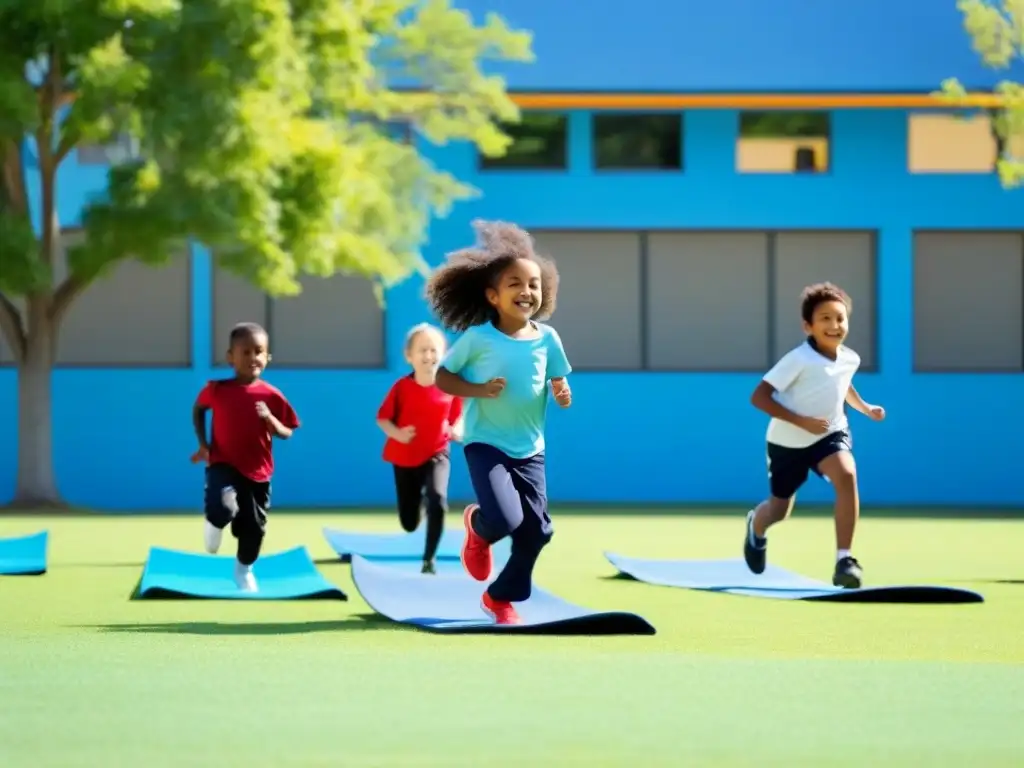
(450, 603)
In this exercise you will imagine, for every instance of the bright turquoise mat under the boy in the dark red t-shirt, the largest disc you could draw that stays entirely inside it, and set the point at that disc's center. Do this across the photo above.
(282, 576)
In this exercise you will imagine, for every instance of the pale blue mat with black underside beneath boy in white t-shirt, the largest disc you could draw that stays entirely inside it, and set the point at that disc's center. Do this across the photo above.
(735, 578)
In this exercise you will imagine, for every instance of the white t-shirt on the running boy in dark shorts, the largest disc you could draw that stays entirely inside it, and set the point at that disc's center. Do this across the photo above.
(810, 385)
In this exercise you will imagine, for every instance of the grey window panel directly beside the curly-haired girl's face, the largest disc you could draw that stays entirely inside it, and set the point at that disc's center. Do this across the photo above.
(599, 314)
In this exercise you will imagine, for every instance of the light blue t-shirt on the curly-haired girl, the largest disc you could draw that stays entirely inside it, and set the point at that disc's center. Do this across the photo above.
(513, 422)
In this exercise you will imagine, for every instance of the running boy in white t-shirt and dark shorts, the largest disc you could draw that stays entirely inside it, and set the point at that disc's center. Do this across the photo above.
(805, 395)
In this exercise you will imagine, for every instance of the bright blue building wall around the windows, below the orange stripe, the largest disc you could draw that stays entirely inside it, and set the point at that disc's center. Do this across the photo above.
(703, 444)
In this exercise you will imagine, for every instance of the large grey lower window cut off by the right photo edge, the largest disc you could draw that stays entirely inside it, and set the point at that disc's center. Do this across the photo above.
(968, 302)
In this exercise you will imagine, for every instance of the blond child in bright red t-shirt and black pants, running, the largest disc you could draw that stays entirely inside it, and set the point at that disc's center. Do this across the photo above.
(420, 421)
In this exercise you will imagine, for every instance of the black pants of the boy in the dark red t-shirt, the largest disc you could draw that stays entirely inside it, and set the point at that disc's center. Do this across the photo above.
(249, 521)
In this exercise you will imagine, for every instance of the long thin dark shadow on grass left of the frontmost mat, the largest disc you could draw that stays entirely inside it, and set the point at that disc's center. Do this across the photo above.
(359, 623)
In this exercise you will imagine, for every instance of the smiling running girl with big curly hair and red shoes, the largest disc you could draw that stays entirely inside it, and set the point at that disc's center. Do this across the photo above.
(502, 365)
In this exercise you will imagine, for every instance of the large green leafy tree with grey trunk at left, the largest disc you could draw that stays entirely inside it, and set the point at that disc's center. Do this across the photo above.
(263, 133)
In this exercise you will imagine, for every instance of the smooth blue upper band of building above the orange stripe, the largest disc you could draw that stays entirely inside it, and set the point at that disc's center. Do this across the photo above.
(742, 46)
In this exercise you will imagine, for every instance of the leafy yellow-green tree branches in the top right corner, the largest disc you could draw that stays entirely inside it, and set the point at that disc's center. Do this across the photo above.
(997, 32)
